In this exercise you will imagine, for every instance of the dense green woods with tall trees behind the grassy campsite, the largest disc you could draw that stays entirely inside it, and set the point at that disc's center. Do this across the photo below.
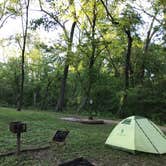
(111, 52)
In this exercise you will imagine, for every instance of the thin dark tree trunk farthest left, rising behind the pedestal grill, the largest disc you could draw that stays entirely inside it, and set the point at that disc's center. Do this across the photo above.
(20, 99)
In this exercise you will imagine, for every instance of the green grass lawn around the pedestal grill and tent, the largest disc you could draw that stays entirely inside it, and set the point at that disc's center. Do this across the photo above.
(83, 141)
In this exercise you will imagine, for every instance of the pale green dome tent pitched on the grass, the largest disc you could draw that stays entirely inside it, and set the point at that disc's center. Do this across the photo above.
(137, 133)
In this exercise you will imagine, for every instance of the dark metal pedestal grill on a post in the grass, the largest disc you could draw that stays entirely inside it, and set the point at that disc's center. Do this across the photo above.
(18, 128)
